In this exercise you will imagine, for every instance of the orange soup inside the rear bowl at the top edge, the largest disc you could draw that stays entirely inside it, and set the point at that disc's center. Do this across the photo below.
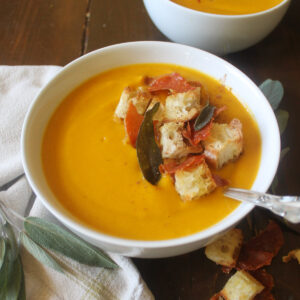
(229, 7)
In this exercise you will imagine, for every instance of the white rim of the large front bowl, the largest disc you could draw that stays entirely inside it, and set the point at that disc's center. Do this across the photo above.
(83, 229)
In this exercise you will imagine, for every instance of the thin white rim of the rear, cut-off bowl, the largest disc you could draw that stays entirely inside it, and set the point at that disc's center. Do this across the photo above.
(241, 16)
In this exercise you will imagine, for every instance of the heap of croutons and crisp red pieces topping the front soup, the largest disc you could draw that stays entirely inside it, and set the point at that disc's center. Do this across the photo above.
(189, 155)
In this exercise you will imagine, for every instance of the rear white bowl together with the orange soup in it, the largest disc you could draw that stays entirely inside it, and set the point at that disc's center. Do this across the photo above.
(218, 26)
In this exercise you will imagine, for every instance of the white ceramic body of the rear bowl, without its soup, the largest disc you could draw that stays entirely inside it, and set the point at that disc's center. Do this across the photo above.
(219, 34)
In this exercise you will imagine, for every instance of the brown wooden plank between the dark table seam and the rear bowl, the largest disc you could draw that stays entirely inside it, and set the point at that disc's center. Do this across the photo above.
(119, 21)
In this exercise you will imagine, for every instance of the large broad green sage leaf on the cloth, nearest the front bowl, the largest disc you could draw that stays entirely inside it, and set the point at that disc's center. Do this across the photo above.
(53, 237)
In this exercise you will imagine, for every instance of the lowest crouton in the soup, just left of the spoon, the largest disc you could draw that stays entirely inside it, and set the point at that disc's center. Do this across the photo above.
(195, 182)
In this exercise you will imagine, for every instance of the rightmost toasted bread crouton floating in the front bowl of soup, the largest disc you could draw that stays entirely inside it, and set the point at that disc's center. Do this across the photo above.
(224, 144)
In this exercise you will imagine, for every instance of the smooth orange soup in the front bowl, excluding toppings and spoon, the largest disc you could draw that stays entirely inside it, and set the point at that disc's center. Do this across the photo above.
(95, 174)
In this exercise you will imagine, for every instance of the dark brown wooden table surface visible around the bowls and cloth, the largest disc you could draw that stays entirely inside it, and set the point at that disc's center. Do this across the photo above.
(56, 32)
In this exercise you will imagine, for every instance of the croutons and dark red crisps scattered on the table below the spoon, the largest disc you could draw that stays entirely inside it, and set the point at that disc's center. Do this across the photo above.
(250, 281)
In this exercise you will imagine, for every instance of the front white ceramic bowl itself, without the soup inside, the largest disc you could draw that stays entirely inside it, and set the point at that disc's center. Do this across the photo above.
(146, 52)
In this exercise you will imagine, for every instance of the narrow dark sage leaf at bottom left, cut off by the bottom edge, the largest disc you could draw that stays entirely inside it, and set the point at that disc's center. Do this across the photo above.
(15, 280)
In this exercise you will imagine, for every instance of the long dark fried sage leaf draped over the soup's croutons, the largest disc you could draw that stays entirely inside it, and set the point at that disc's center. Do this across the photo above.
(149, 155)
